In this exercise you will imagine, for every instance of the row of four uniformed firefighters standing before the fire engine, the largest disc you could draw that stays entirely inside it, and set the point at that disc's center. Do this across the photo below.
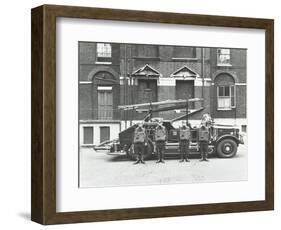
(160, 136)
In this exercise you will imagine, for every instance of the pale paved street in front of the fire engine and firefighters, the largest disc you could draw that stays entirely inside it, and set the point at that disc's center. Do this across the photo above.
(98, 169)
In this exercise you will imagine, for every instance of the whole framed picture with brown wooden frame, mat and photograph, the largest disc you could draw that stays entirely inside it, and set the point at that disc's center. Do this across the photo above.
(140, 114)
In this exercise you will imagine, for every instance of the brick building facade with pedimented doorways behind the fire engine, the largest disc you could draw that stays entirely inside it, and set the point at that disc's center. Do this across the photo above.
(120, 74)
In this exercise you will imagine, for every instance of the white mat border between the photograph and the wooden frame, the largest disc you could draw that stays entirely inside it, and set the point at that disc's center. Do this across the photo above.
(72, 198)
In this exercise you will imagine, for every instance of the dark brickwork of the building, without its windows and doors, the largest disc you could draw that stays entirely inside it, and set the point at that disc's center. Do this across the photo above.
(166, 65)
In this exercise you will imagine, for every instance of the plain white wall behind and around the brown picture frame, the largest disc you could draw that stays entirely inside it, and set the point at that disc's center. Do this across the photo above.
(15, 106)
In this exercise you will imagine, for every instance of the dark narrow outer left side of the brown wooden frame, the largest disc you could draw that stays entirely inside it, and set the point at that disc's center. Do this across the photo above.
(37, 115)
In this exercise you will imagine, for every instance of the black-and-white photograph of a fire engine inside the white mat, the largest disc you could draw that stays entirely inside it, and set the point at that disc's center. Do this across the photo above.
(152, 114)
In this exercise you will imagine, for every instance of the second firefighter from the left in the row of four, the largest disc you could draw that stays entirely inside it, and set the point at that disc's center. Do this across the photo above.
(160, 136)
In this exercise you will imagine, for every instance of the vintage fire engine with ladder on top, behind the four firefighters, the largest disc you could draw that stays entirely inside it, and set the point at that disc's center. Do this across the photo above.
(224, 139)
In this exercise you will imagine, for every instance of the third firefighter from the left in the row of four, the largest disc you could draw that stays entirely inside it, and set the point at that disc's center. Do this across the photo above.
(184, 140)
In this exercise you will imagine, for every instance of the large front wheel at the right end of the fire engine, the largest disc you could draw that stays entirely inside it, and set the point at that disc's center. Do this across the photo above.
(226, 148)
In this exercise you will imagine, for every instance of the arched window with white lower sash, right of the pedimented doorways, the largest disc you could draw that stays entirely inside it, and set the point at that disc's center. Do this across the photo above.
(226, 92)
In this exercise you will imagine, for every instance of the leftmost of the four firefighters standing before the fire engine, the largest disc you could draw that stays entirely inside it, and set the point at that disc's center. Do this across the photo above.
(139, 143)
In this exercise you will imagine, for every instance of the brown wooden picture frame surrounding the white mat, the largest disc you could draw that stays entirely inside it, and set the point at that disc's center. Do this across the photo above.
(43, 208)
